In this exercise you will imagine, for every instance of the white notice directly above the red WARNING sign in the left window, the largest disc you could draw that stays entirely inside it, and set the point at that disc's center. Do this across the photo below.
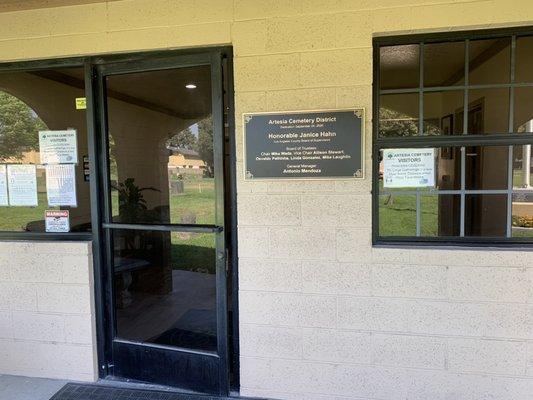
(61, 185)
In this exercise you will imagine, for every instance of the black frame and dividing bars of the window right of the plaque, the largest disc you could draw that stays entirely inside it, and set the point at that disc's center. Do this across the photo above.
(509, 139)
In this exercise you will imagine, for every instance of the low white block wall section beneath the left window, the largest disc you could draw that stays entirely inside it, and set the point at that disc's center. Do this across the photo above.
(46, 310)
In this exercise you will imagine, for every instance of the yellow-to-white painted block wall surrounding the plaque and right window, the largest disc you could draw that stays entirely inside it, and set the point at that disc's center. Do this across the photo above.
(323, 314)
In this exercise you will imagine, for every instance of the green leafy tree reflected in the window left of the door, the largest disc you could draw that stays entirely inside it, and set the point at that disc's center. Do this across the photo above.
(19, 127)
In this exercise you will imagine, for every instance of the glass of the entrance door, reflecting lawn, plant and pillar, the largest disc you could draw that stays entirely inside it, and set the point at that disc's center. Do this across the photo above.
(161, 172)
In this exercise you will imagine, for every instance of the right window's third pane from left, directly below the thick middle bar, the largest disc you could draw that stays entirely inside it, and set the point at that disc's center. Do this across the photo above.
(486, 167)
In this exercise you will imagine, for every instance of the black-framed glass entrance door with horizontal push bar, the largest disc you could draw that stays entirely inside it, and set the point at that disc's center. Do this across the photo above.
(163, 221)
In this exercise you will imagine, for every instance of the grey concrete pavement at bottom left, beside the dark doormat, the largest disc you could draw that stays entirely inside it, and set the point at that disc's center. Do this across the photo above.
(23, 388)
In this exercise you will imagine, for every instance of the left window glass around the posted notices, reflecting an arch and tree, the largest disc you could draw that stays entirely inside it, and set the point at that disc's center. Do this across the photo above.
(38, 101)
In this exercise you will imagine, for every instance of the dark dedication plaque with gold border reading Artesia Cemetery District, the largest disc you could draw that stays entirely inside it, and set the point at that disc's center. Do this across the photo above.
(304, 144)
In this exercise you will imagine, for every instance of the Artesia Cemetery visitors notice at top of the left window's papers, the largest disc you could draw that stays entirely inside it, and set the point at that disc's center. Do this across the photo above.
(58, 147)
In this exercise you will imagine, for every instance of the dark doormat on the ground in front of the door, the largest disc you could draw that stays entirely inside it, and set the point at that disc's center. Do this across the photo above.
(74, 391)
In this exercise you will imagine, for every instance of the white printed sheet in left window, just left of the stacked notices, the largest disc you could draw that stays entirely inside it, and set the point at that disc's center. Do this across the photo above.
(22, 185)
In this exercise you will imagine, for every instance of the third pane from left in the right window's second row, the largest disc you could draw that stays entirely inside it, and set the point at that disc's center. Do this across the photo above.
(488, 111)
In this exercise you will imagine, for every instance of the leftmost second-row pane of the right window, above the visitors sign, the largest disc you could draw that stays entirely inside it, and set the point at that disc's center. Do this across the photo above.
(398, 115)
